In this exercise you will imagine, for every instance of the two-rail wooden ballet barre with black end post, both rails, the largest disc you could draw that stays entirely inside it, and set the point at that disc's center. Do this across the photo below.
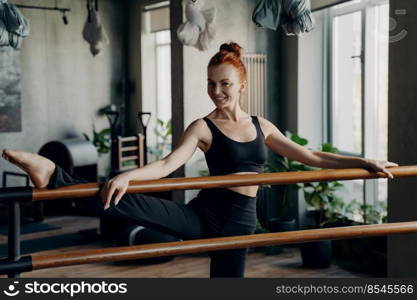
(15, 264)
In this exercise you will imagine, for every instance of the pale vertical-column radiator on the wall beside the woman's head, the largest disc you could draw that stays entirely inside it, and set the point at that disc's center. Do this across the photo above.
(254, 99)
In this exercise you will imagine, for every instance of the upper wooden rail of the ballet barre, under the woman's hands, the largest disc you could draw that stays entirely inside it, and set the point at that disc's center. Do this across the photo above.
(208, 182)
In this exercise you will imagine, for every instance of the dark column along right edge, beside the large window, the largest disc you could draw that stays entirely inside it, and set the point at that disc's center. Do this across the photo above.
(402, 144)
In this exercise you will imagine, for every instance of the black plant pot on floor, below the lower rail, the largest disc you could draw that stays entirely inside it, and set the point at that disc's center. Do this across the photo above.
(316, 254)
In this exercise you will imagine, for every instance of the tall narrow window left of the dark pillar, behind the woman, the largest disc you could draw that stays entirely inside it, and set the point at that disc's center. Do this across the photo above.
(156, 77)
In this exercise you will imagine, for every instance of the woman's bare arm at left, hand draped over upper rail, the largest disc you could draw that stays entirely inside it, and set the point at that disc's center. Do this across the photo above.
(117, 186)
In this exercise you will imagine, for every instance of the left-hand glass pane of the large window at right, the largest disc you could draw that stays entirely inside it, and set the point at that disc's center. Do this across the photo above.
(346, 98)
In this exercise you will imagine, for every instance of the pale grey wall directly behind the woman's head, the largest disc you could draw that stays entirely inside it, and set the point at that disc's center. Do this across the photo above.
(234, 23)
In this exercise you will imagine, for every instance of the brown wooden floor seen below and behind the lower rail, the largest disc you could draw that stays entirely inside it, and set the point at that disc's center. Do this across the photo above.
(259, 265)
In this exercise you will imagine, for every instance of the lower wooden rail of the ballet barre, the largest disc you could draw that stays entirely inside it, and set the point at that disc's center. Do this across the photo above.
(212, 244)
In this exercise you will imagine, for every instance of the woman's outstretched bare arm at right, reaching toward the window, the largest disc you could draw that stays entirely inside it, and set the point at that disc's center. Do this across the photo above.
(281, 145)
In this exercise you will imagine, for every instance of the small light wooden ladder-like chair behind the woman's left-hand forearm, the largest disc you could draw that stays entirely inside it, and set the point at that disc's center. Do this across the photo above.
(130, 152)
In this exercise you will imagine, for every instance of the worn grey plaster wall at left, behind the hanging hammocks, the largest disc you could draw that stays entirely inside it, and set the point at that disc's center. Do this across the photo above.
(63, 85)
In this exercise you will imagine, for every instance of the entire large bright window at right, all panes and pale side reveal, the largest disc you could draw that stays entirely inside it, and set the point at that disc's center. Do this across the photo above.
(348, 51)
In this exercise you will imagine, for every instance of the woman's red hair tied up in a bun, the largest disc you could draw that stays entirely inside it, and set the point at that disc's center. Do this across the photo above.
(230, 53)
